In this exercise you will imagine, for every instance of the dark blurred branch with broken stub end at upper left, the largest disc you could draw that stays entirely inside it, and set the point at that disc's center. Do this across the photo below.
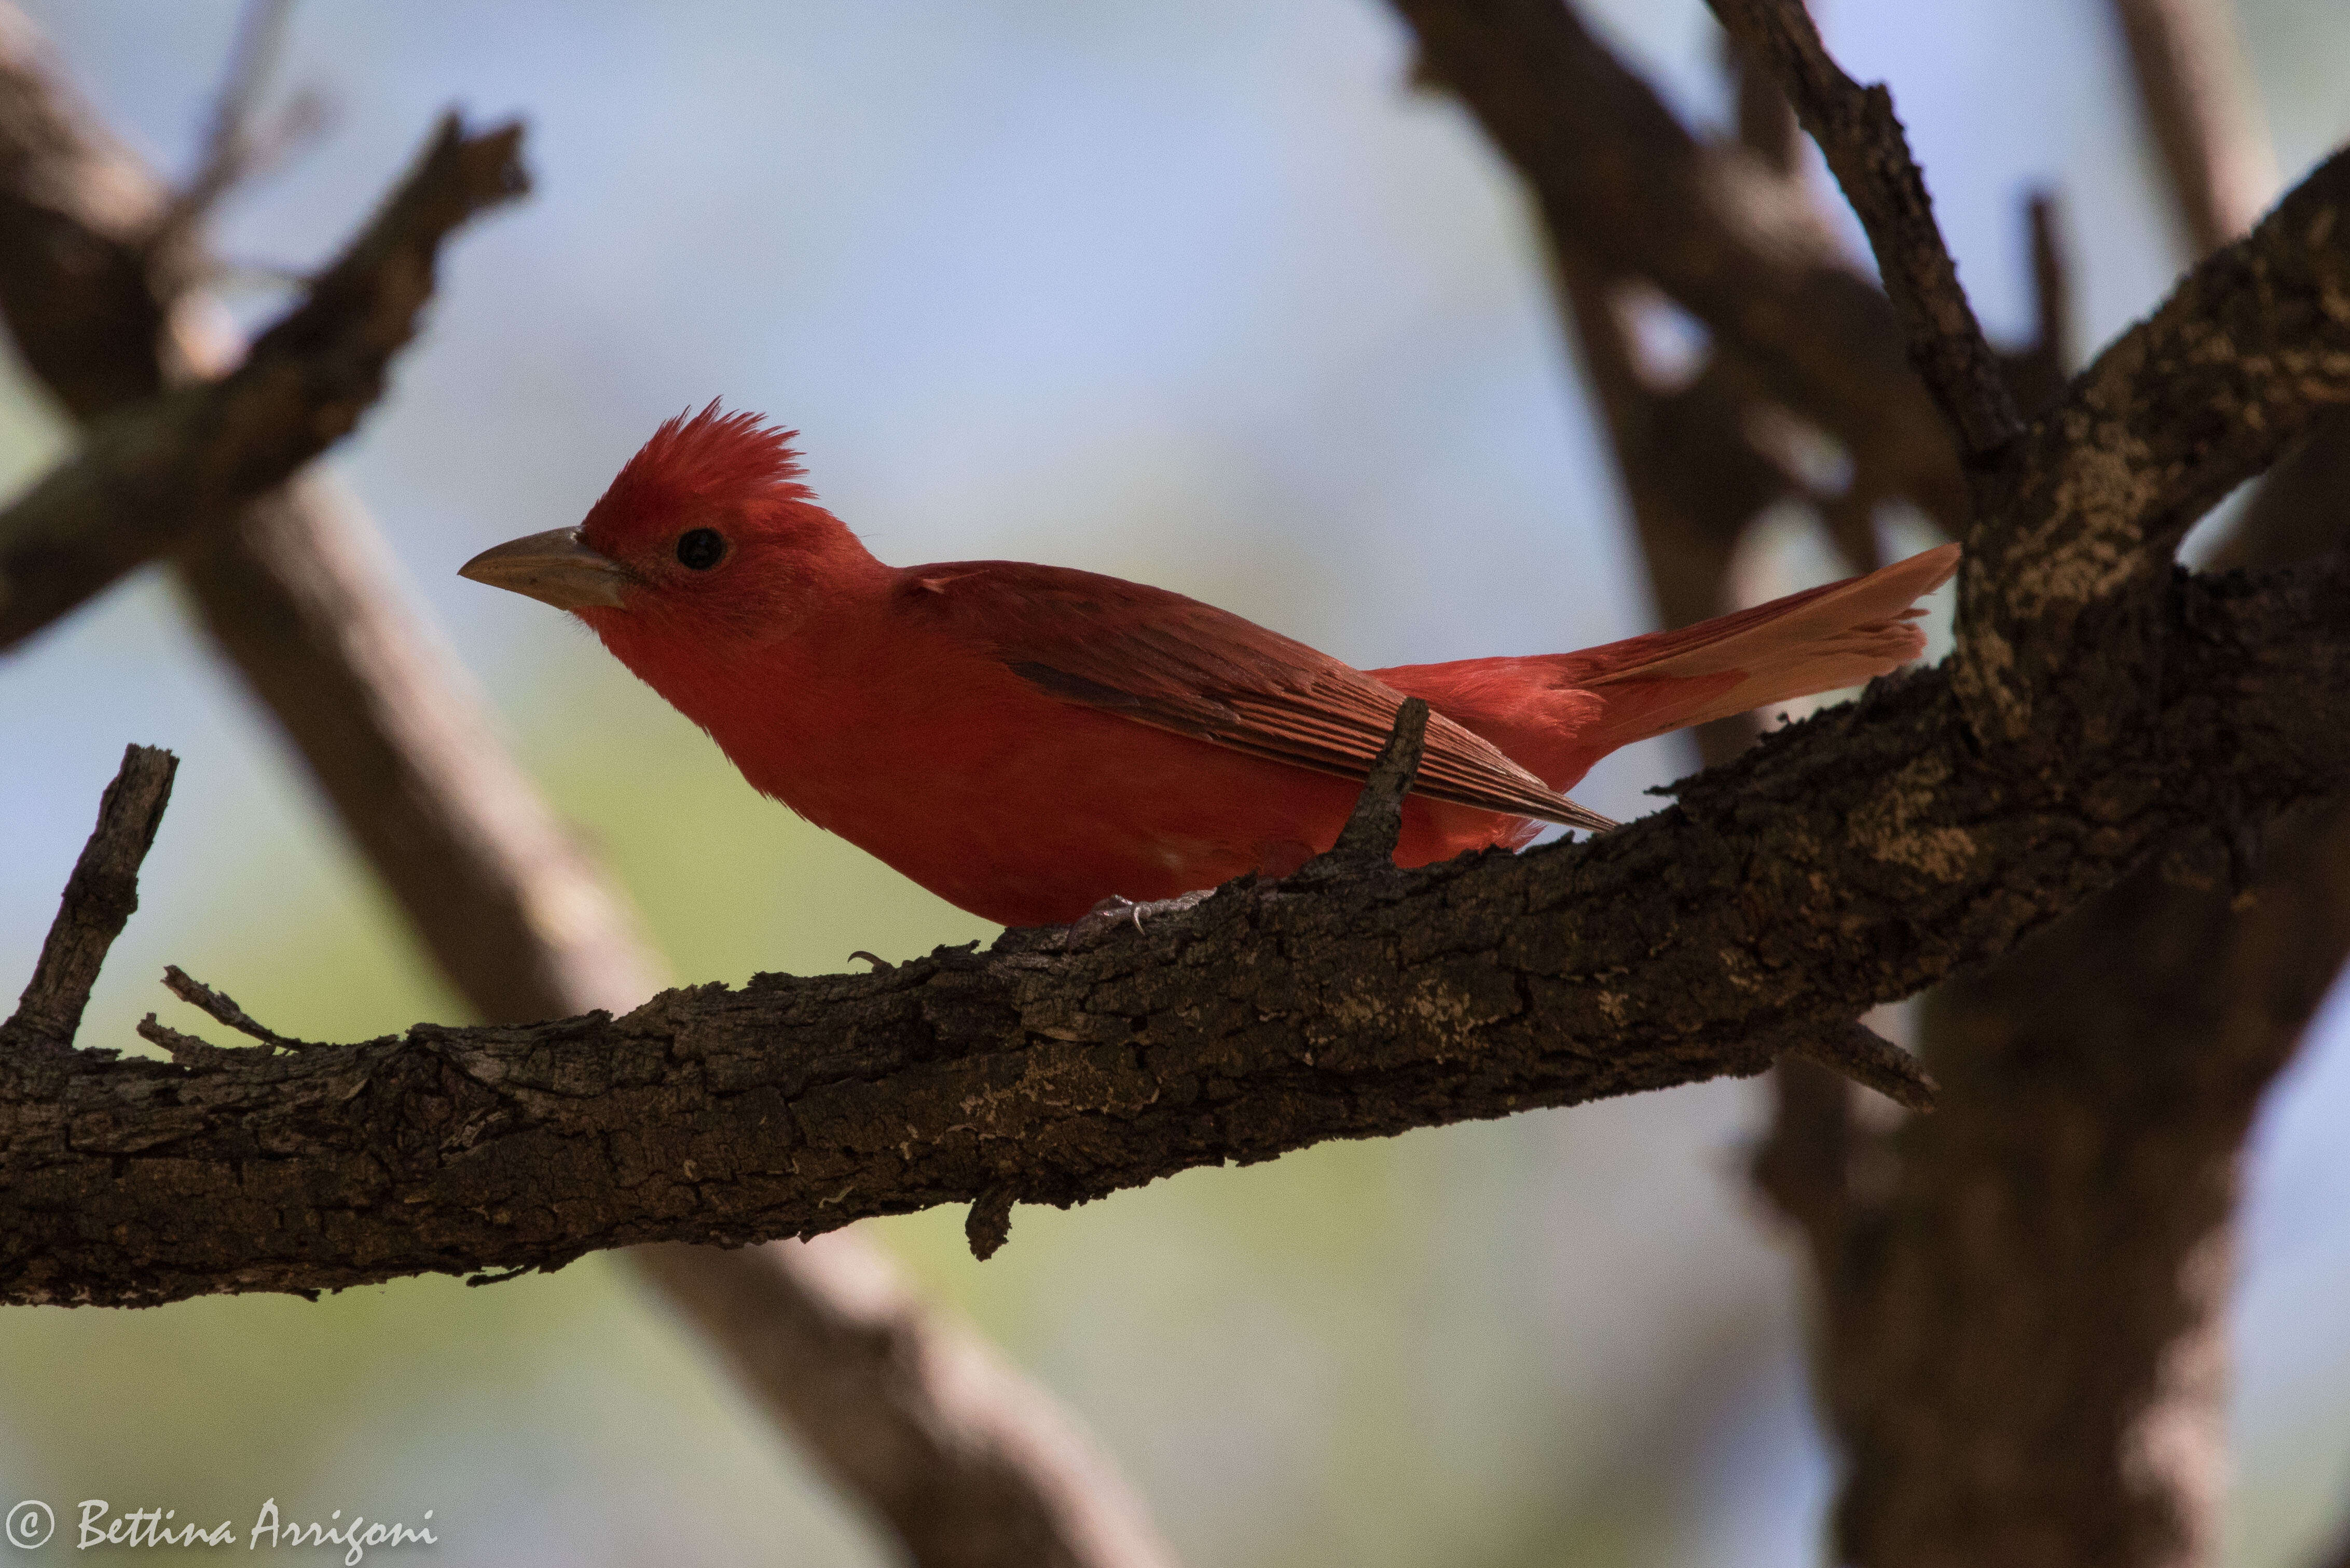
(189, 462)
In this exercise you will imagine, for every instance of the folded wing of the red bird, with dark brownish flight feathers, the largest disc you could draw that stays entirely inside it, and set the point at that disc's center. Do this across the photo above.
(1176, 664)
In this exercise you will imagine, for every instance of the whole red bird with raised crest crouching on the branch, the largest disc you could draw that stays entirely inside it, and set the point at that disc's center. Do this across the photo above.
(1033, 742)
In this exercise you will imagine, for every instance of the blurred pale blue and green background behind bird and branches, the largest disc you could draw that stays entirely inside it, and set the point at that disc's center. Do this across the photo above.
(1186, 293)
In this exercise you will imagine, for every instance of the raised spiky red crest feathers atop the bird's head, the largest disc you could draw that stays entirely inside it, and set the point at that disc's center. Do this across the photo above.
(701, 462)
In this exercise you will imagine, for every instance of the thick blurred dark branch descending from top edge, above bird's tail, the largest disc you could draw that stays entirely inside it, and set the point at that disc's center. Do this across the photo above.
(1714, 227)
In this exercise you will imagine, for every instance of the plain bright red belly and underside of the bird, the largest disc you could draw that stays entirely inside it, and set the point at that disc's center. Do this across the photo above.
(1035, 824)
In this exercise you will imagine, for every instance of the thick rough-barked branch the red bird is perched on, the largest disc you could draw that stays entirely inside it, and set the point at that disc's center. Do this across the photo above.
(1846, 862)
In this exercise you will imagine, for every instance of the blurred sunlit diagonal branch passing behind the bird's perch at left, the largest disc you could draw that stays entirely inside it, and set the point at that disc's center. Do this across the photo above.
(920, 1421)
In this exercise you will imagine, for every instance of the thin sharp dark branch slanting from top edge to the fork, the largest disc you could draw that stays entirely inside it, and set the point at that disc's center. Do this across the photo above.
(1872, 161)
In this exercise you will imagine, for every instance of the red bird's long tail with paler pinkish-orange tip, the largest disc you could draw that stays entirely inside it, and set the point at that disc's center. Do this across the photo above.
(1559, 713)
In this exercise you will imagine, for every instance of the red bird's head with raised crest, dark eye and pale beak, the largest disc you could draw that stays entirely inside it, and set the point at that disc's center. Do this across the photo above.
(706, 537)
